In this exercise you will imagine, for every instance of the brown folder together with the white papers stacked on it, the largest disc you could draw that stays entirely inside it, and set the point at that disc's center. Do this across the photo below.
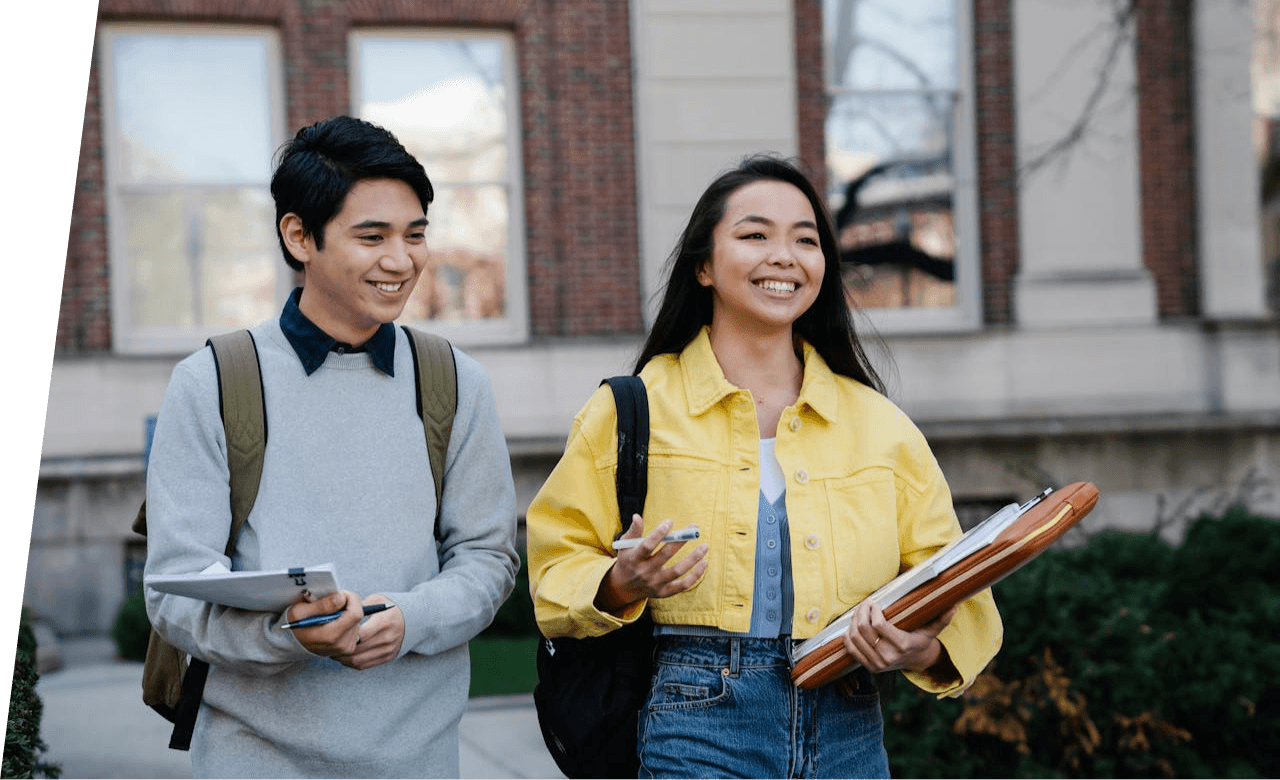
(980, 559)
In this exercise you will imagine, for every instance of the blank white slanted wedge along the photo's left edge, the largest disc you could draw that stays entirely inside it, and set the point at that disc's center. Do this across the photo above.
(44, 57)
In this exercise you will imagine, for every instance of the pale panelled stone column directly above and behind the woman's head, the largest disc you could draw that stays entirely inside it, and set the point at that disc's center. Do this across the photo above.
(715, 81)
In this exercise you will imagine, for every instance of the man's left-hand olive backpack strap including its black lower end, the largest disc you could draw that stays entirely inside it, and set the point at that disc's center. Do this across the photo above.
(241, 400)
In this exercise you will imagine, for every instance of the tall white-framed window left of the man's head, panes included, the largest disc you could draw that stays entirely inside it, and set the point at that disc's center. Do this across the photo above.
(191, 121)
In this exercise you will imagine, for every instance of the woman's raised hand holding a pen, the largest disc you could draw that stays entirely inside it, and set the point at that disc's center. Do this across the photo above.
(642, 572)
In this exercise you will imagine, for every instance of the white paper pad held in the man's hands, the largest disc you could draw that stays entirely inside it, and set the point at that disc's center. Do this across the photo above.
(258, 591)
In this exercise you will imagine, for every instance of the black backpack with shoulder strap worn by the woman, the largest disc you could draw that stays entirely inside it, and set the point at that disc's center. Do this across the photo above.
(591, 691)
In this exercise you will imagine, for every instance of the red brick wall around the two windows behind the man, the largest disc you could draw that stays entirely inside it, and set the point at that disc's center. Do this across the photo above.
(574, 61)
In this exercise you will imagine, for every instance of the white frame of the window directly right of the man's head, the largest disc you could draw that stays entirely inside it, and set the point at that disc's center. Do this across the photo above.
(514, 327)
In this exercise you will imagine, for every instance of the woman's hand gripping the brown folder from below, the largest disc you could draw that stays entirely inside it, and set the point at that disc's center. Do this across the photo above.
(880, 646)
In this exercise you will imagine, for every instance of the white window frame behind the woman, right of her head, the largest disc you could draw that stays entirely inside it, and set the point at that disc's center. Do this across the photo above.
(966, 316)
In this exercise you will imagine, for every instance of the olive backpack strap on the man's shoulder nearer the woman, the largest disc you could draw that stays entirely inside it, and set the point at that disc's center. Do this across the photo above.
(437, 402)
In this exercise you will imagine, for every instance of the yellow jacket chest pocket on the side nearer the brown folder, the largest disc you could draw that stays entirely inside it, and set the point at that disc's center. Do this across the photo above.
(863, 512)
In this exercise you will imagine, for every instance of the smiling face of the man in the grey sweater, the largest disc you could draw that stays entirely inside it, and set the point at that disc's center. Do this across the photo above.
(374, 252)
